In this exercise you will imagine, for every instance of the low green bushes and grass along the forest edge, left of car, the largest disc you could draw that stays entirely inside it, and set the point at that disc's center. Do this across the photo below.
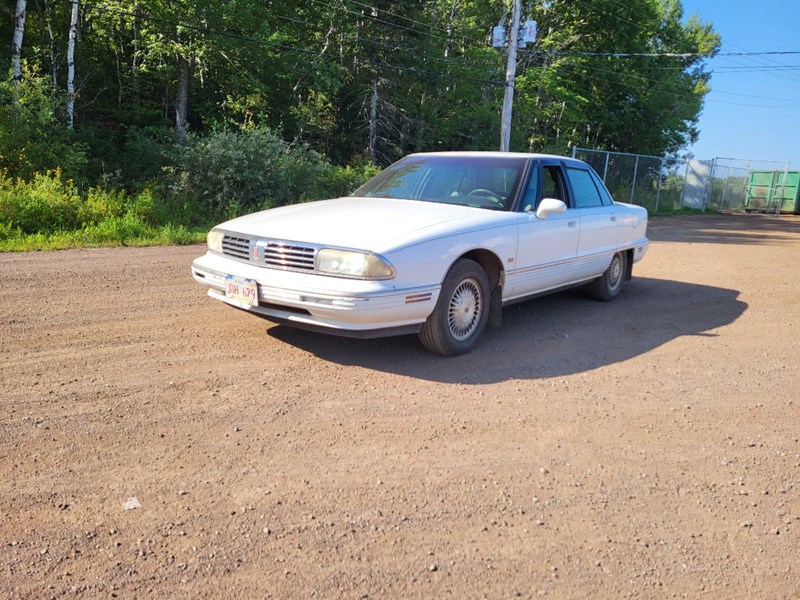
(220, 176)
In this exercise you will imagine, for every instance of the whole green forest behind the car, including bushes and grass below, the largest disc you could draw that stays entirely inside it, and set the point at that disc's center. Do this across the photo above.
(178, 112)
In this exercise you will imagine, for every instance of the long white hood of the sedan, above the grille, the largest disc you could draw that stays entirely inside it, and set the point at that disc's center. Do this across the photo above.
(374, 224)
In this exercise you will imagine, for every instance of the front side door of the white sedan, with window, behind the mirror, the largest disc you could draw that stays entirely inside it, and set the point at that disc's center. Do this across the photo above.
(546, 247)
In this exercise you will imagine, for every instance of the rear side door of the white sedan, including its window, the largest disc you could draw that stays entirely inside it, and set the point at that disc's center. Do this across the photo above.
(598, 222)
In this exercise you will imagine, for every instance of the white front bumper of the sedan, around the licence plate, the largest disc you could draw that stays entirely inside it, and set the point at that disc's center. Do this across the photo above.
(334, 305)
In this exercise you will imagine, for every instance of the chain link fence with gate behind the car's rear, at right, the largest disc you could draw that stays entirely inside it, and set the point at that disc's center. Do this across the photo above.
(664, 185)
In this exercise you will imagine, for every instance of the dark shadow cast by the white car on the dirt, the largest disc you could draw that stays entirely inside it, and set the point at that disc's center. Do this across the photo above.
(552, 336)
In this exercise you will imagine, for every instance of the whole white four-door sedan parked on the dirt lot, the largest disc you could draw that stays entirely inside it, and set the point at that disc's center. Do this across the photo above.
(435, 244)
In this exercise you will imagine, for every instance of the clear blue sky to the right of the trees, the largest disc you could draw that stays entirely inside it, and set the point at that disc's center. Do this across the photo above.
(753, 111)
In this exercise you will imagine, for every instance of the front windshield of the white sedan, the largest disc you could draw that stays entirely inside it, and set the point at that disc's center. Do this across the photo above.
(477, 181)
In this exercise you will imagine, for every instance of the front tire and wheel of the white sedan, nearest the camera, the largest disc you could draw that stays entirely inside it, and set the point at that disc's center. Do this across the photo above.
(461, 312)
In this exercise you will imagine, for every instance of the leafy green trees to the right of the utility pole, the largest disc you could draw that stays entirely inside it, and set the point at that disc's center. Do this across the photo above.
(575, 95)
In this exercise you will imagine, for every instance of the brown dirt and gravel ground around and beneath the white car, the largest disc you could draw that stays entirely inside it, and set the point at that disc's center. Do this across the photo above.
(646, 447)
